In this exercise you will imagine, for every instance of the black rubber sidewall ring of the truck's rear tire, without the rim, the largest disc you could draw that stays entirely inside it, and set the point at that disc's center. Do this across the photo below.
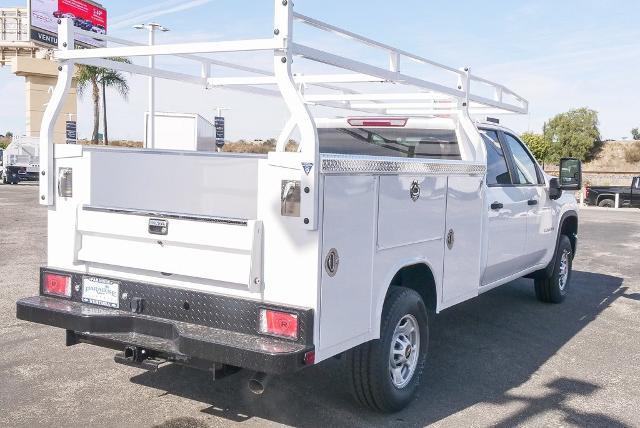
(402, 301)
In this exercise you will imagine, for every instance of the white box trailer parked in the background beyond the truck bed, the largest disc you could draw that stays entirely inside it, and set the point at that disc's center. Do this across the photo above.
(180, 131)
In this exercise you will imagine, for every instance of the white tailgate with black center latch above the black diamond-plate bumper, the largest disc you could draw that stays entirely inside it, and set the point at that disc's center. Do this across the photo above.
(221, 252)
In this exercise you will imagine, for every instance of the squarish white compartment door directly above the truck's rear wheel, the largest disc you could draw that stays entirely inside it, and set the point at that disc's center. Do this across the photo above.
(404, 221)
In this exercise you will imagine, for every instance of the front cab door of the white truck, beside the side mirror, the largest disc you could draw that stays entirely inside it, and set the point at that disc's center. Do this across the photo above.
(540, 228)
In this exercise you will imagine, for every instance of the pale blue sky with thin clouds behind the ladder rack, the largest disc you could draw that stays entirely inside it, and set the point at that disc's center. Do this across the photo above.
(557, 54)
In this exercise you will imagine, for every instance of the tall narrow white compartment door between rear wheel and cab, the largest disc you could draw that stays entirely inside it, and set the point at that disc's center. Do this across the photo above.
(462, 262)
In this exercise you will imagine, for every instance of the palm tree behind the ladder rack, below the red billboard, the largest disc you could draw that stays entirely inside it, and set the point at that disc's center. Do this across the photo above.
(94, 77)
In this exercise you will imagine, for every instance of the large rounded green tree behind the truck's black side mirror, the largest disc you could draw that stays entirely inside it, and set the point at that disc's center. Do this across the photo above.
(573, 134)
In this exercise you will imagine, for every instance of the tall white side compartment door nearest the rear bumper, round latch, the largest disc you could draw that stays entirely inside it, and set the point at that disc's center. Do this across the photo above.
(348, 241)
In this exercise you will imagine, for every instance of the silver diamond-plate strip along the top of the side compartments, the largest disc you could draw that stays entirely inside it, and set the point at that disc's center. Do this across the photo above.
(351, 164)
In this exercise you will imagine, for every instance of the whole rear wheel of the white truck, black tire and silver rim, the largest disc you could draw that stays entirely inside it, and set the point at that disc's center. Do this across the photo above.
(370, 364)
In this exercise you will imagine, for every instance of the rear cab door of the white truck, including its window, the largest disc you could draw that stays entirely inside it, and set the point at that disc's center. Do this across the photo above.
(507, 214)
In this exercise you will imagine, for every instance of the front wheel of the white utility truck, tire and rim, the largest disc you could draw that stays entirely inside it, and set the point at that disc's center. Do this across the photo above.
(554, 289)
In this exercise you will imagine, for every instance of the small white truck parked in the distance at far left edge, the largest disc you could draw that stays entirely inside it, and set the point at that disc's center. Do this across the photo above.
(21, 161)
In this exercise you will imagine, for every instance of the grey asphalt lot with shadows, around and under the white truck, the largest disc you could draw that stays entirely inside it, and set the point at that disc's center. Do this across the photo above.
(502, 359)
